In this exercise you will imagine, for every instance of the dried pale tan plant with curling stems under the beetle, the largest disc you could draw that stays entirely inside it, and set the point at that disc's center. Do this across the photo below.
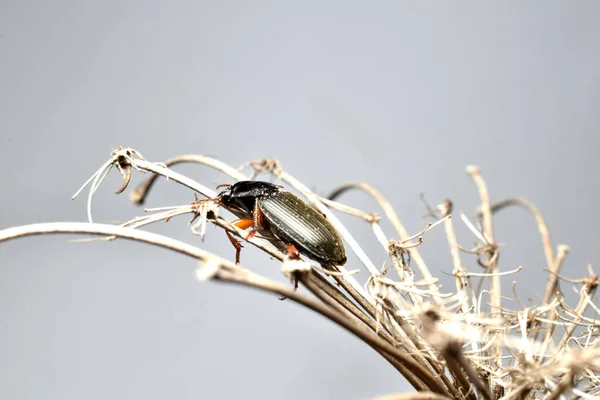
(447, 345)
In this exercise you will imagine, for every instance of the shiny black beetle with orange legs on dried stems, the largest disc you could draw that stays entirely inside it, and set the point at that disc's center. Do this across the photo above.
(283, 219)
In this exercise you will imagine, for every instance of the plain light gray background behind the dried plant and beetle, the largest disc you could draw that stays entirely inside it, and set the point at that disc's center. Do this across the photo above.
(401, 94)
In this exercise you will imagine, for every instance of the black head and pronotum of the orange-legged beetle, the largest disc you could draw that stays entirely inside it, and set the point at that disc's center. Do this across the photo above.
(240, 197)
